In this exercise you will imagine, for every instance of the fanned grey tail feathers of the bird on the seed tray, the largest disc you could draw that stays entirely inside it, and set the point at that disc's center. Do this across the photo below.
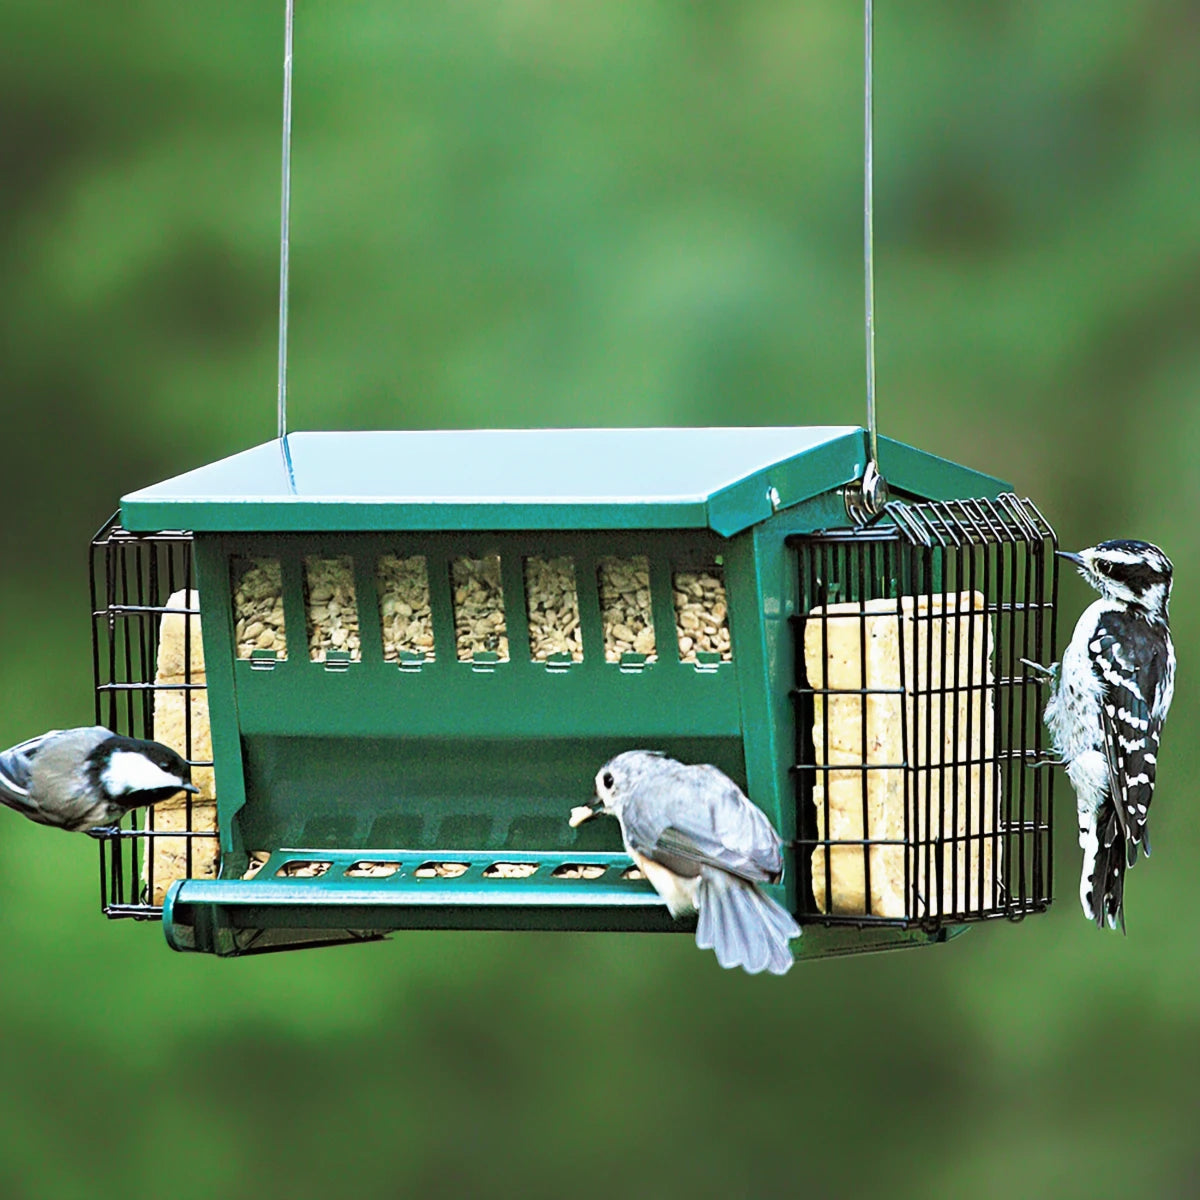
(746, 928)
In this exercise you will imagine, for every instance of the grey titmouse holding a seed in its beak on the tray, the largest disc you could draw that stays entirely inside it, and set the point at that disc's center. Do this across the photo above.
(705, 848)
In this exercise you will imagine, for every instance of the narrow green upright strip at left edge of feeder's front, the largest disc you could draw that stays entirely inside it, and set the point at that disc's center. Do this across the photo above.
(217, 622)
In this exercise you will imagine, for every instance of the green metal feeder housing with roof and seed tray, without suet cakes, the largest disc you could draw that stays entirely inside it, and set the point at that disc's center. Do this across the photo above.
(454, 773)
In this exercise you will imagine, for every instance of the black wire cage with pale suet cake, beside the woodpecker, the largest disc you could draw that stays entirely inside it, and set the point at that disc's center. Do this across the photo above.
(919, 721)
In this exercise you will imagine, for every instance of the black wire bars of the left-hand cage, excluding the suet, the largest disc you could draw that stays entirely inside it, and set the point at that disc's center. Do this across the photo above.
(134, 579)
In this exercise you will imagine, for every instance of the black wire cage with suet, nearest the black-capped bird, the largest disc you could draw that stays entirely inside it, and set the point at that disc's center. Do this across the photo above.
(137, 584)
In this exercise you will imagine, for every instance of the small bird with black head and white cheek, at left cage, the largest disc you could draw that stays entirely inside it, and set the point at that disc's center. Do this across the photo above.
(88, 779)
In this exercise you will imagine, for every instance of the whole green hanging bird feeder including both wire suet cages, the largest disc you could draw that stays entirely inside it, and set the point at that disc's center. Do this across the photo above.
(412, 652)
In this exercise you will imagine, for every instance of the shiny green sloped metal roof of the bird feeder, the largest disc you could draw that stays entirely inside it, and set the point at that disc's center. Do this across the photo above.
(723, 479)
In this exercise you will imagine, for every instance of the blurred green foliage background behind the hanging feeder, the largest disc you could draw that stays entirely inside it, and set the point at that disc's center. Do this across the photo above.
(544, 213)
